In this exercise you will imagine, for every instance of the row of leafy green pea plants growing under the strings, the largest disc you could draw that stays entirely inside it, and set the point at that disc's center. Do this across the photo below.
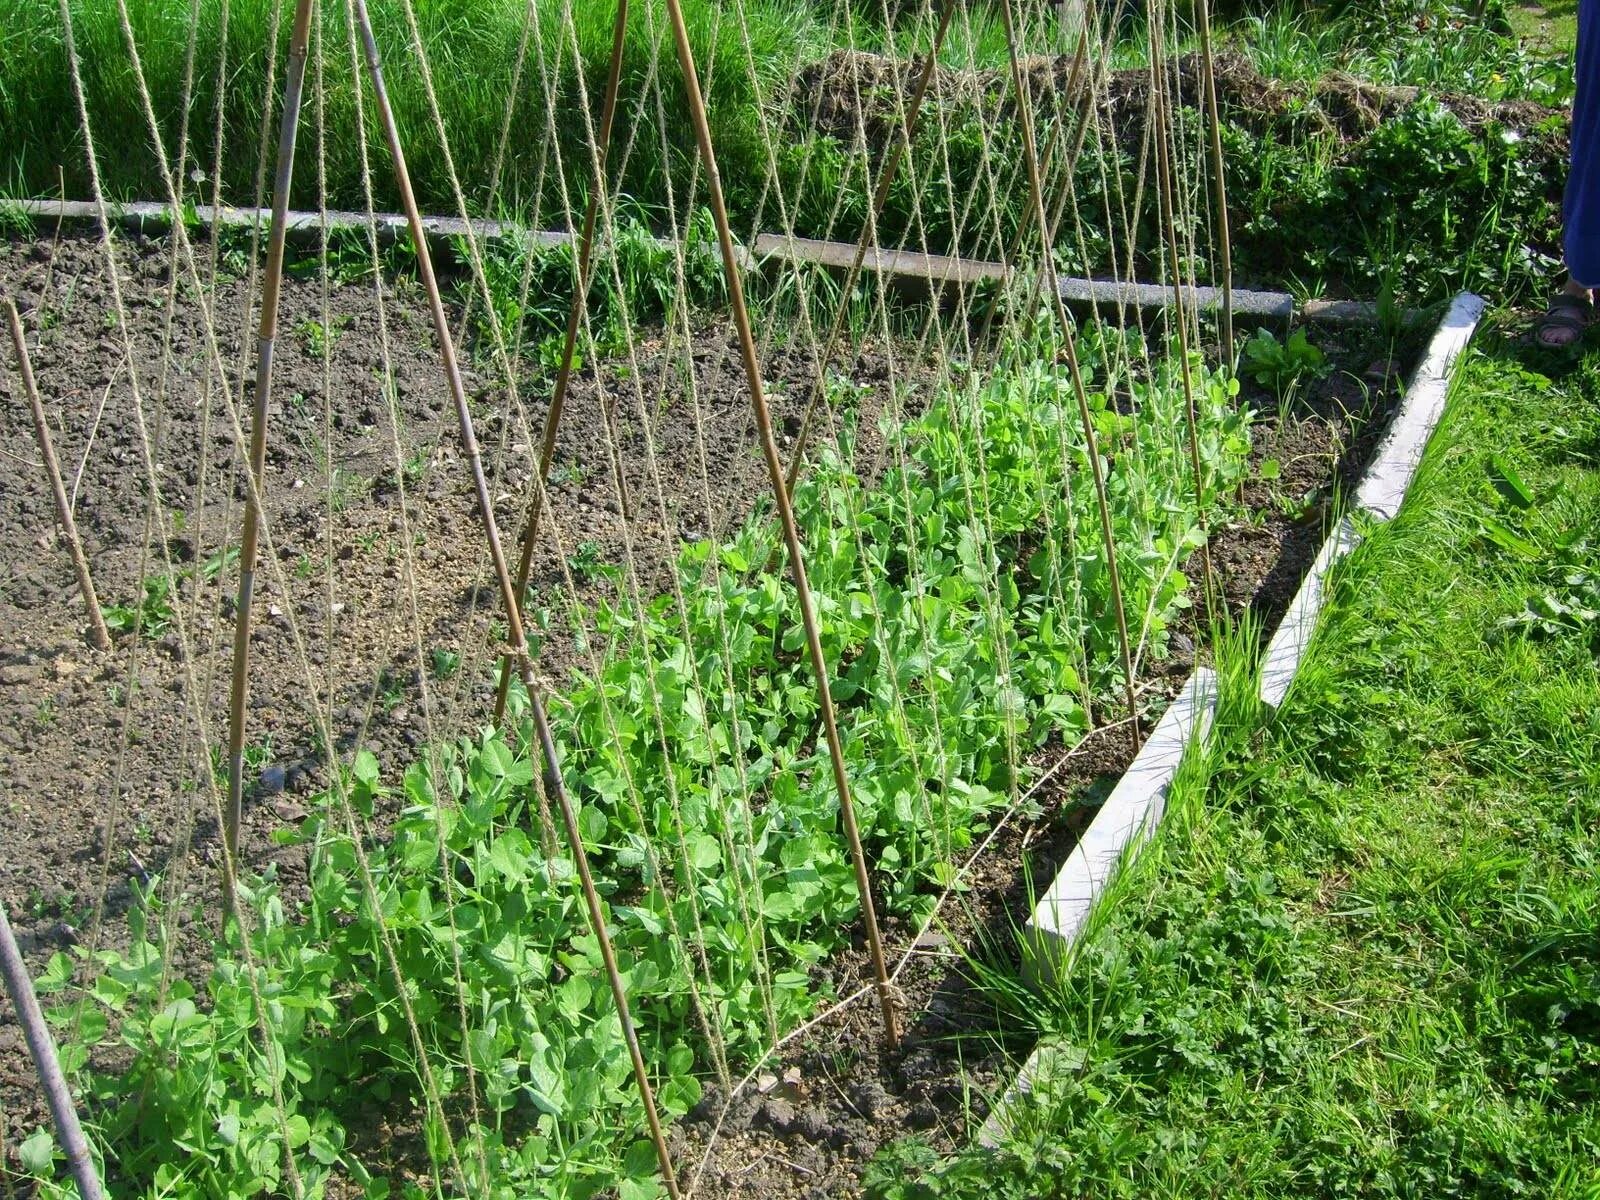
(446, 972)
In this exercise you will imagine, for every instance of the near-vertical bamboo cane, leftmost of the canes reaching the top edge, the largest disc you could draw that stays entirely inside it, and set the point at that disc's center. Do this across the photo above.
(273, 284)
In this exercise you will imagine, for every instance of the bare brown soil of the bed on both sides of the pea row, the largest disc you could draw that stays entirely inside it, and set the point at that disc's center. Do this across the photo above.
(114, 750)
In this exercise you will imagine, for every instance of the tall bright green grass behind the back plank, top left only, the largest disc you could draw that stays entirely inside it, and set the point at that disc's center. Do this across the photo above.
(473, 50)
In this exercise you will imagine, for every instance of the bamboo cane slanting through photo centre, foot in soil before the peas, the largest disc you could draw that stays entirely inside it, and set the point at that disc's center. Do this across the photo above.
(775, 470)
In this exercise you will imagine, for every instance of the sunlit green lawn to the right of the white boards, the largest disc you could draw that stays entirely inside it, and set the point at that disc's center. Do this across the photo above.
(1364, 958)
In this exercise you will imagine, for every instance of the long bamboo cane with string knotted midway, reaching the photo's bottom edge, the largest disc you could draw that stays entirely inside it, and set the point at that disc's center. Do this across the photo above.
(551, 766)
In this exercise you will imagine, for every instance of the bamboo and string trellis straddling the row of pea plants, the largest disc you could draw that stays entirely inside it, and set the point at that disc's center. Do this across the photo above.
(687, 582)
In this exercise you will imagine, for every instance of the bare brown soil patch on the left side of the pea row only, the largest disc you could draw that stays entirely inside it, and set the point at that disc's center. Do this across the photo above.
(114, 750)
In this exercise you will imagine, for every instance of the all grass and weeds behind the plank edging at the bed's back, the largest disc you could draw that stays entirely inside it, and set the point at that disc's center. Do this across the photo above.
(1321, 212)
